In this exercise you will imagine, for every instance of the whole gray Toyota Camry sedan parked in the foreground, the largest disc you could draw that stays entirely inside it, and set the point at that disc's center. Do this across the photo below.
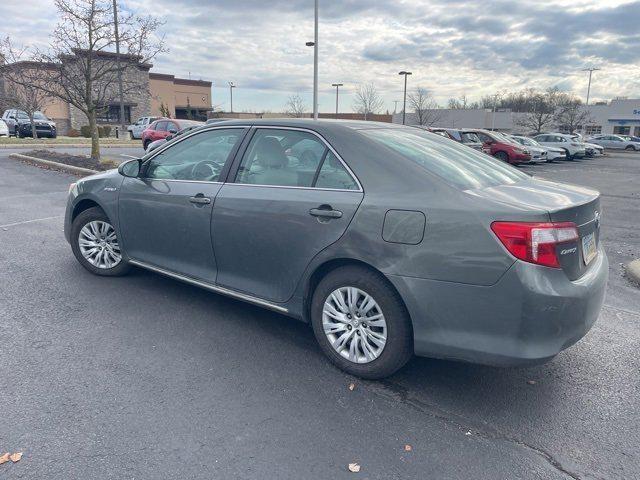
(389, 240)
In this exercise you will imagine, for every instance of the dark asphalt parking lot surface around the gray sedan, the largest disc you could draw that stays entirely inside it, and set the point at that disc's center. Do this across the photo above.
(144, 377)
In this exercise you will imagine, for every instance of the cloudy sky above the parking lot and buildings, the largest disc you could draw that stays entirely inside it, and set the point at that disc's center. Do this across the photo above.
(453, 47)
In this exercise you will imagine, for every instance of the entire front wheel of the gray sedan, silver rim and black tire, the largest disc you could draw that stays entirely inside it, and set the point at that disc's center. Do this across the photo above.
(95, 244)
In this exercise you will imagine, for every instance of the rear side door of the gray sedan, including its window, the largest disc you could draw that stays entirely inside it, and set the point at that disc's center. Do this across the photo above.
(281, 206)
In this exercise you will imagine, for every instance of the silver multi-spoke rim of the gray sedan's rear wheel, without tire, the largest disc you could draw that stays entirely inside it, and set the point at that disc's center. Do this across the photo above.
(354, 324)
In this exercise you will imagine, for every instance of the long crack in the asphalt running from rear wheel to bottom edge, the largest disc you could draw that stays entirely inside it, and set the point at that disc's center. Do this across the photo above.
(391, 390)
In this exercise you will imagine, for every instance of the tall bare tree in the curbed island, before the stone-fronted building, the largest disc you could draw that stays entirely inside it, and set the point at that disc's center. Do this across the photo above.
(80, 67)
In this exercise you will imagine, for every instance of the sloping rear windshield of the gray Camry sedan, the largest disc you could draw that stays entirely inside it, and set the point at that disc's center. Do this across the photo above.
(457, 164)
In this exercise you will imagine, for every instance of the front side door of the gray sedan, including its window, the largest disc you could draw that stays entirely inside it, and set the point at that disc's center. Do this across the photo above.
(165, 213)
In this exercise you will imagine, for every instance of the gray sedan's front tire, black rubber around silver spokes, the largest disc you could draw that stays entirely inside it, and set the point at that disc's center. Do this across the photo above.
(84, 219)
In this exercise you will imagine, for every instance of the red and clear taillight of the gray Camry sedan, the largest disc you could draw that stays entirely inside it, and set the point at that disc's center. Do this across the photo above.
(535, 242)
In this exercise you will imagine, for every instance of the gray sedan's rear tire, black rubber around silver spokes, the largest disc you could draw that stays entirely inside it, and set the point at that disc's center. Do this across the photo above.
(398, 348)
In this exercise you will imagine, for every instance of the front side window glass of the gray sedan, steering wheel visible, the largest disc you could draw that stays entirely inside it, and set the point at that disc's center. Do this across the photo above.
(199, 157)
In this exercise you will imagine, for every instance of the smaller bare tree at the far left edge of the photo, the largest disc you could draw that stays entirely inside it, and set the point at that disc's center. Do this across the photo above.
(20, 90)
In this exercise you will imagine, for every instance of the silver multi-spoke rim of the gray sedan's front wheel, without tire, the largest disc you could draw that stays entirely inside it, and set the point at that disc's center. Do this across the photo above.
(99, 245)
